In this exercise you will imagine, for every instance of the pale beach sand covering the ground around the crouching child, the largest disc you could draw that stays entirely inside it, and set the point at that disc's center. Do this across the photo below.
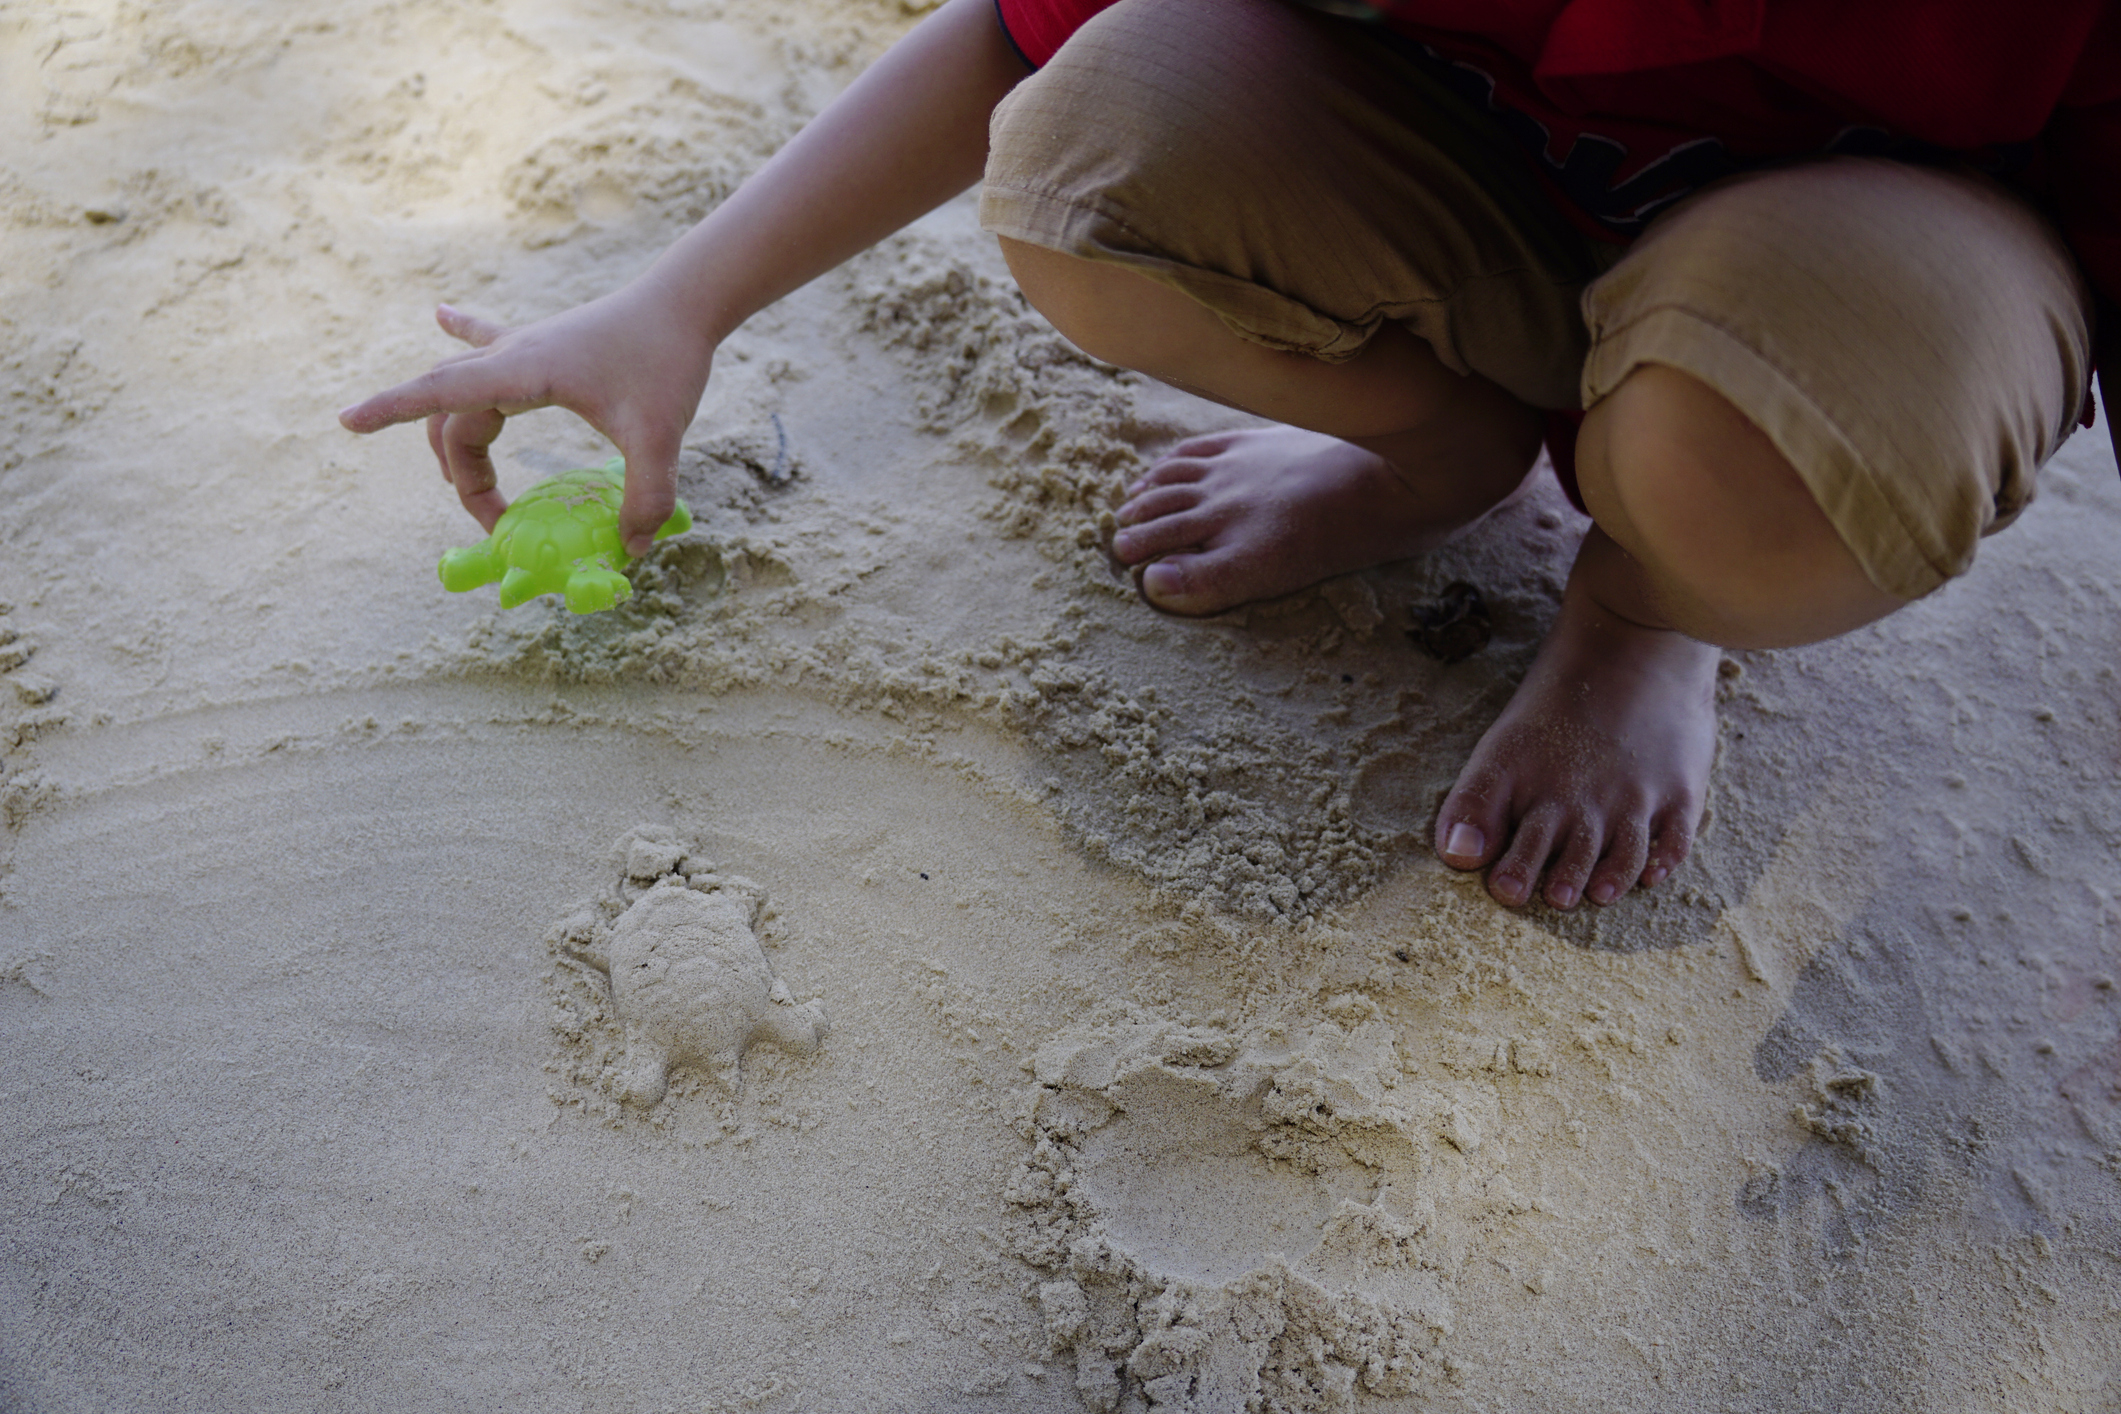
(1059, 1004)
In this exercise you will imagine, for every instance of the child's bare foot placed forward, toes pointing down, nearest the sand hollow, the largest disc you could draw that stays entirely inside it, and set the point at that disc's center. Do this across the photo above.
(1598, 764)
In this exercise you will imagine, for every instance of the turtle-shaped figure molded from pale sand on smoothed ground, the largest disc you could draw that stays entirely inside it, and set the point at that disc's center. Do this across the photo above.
(690, 985)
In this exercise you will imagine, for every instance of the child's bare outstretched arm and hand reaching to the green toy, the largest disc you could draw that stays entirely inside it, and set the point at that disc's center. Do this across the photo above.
(905, 137)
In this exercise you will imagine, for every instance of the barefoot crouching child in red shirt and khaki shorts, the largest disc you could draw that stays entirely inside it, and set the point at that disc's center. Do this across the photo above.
(1785, 253)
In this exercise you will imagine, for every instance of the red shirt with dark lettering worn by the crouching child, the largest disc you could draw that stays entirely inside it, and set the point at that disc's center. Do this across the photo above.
(1628, 105)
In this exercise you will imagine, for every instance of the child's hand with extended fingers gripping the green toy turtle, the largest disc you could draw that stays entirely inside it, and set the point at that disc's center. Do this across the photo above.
(625, 364)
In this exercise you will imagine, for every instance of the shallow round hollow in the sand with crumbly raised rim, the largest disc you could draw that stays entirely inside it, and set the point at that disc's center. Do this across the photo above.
(1229, 1226)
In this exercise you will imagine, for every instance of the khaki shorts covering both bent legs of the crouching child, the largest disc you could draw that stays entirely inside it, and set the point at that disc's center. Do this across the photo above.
(1914, 340)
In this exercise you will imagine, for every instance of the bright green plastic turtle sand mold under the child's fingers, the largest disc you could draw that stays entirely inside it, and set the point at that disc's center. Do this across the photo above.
(559, 537)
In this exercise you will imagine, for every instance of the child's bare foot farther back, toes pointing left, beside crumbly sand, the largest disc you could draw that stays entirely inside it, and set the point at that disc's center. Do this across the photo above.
(1248, 516)
